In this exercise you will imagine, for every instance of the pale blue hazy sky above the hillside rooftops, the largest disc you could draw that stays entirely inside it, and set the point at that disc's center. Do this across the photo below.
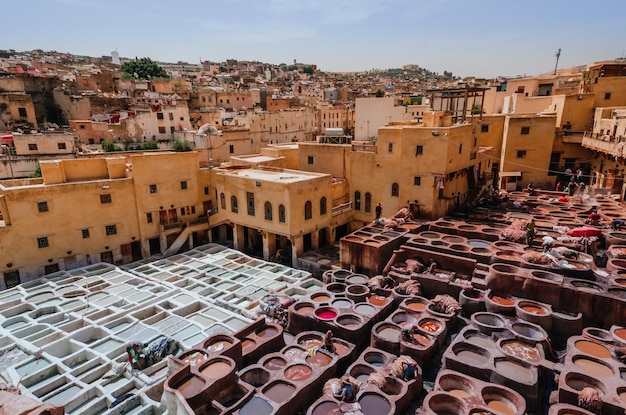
(483, 38)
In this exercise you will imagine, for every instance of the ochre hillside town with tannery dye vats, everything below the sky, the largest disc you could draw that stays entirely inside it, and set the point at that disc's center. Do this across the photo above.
(251, 238)
